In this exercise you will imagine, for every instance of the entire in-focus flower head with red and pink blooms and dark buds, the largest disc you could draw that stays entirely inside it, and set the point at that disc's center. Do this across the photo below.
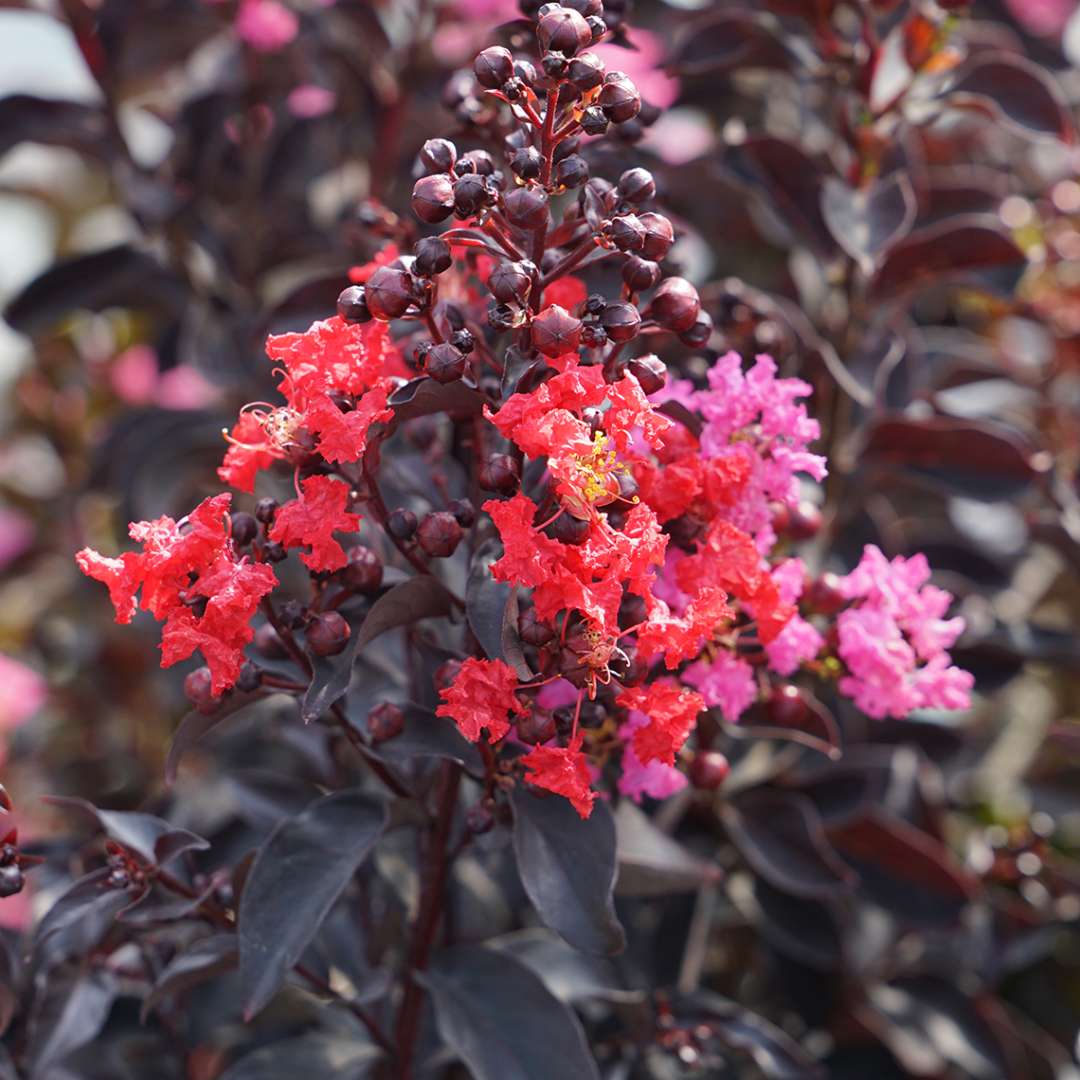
(638, 511)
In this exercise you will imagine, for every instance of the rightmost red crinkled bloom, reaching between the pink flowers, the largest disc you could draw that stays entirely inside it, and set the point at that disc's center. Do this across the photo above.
(728, 558)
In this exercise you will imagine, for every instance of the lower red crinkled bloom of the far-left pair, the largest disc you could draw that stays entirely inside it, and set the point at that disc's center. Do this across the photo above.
(234, 591)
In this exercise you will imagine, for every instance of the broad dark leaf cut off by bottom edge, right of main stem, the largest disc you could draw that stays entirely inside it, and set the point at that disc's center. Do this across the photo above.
(502, 1021)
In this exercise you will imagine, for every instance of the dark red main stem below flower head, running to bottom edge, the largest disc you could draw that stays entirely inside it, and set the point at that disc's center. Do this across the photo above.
(427, 924)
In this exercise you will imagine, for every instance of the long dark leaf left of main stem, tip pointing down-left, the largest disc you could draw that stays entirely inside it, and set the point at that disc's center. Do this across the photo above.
(298, 875)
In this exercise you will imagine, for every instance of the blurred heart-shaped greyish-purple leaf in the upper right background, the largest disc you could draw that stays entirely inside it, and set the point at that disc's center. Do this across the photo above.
(868, 222)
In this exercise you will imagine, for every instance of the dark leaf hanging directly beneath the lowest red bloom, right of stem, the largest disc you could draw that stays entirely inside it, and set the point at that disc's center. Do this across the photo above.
(569, 869)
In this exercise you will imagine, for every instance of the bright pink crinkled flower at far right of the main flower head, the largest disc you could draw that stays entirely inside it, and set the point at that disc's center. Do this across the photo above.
(895, 641)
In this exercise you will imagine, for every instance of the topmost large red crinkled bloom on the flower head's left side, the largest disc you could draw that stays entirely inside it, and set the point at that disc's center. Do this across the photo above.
(334, 355)
